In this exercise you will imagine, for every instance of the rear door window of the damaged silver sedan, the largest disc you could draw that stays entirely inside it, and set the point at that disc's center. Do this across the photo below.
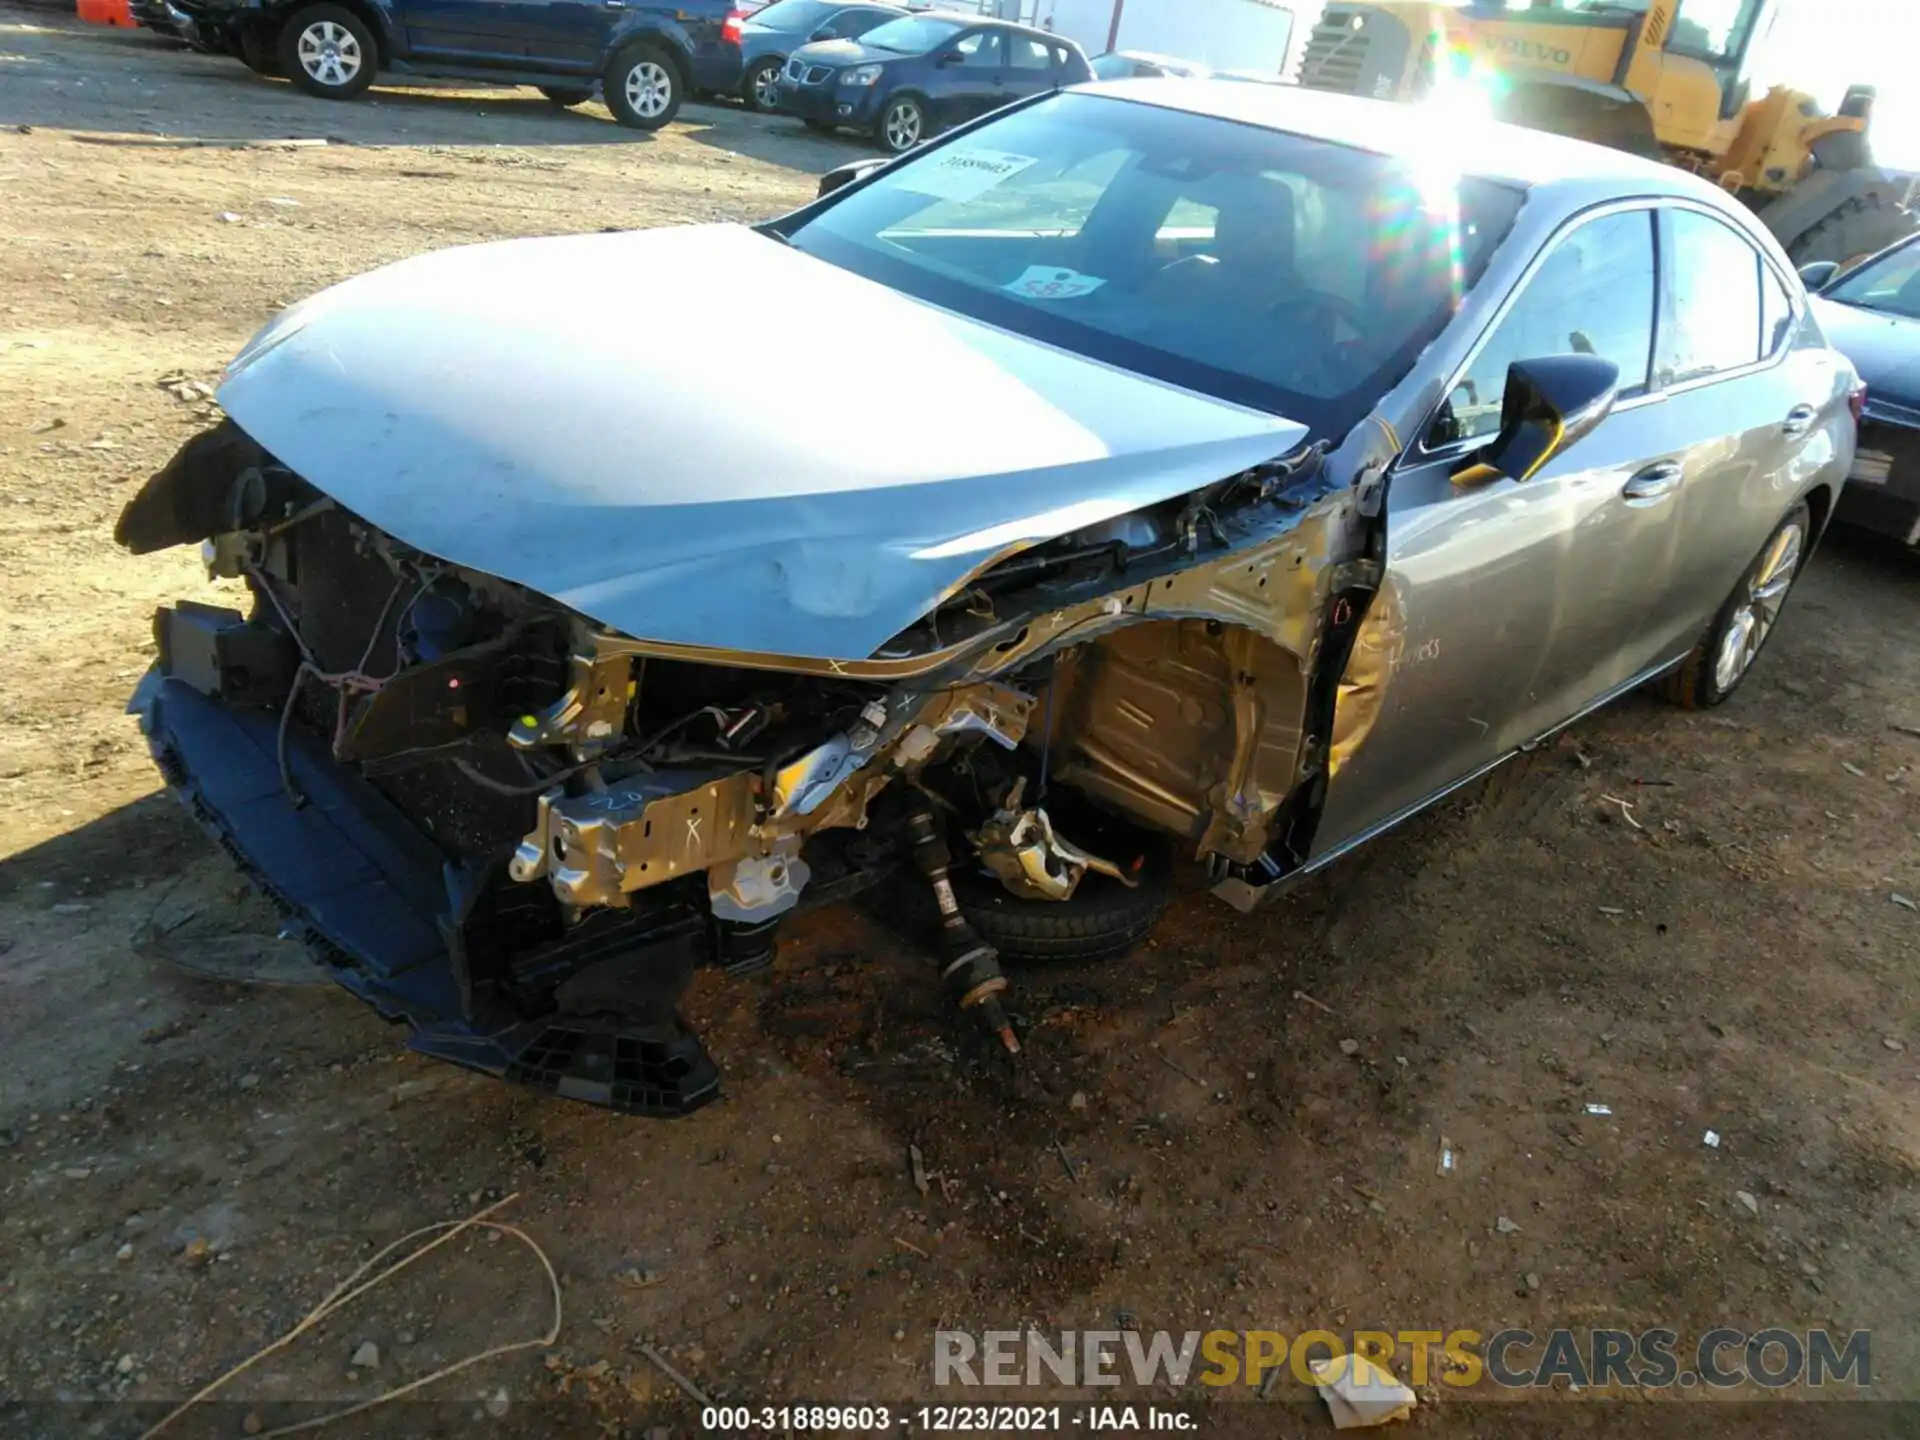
(1714, 300)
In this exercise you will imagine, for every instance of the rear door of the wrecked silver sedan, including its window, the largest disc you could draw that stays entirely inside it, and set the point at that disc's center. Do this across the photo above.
(1762, 406)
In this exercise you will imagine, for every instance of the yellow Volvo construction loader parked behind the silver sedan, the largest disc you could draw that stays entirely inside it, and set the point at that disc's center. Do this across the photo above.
(1671, 80)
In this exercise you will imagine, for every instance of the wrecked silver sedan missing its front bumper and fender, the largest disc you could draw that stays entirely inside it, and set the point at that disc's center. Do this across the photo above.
(1214, 473)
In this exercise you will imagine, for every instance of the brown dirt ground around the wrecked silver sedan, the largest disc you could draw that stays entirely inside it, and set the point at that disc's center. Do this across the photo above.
(187, 1166)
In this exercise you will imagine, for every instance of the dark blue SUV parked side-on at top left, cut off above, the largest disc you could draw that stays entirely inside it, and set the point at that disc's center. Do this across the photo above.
(646, 55)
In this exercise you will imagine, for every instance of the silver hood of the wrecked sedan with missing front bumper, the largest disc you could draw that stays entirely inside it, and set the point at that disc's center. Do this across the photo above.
(706, 437)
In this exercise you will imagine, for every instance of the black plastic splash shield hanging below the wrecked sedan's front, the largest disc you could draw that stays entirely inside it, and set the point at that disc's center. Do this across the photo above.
(370, 896)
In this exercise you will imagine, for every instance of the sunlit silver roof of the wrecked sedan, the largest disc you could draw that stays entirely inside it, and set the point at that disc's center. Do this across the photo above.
(1408, 132)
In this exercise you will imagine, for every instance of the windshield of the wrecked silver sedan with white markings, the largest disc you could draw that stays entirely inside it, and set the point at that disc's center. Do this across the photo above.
(1262, 268)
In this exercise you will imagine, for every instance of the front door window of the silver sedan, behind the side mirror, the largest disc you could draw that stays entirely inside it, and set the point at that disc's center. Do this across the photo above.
(1591, 297)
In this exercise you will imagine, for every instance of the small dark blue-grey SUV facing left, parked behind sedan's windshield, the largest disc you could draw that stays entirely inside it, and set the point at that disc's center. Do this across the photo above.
(913, 78)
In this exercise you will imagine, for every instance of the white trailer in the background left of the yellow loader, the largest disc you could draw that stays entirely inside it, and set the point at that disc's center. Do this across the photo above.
(1249, 36)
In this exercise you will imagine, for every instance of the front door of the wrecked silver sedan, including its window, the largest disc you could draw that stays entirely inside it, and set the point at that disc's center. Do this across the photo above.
(1508, 608)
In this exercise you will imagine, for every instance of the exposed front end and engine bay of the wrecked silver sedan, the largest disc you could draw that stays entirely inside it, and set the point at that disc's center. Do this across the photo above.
(521, 830)
